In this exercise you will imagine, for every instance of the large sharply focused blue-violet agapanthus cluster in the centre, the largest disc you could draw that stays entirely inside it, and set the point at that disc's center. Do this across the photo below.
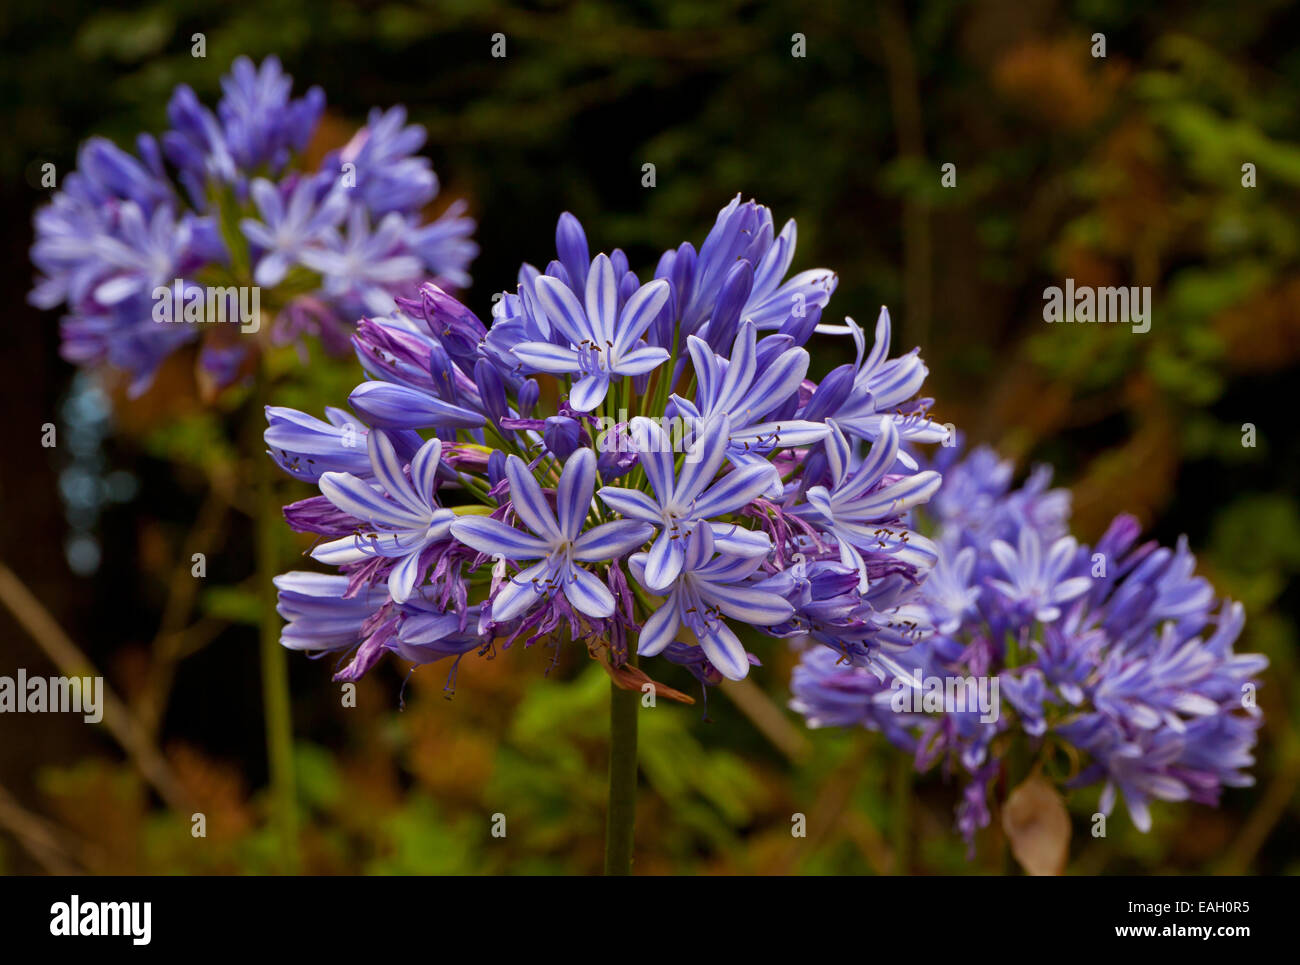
(621, 461)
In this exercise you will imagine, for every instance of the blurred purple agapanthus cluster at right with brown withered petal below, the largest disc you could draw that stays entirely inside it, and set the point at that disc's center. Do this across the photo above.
(1113, 663)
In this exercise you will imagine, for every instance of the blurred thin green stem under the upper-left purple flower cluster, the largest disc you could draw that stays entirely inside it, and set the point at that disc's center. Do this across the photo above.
(275, 660)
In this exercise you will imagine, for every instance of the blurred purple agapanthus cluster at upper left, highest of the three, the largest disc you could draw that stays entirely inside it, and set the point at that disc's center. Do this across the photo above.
(133, 245)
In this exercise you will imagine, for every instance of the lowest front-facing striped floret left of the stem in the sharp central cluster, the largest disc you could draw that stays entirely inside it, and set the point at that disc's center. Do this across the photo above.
(557, 540)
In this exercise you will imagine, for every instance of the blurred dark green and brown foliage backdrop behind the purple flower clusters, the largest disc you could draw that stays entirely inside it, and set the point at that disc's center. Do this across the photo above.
(1116, 171)
